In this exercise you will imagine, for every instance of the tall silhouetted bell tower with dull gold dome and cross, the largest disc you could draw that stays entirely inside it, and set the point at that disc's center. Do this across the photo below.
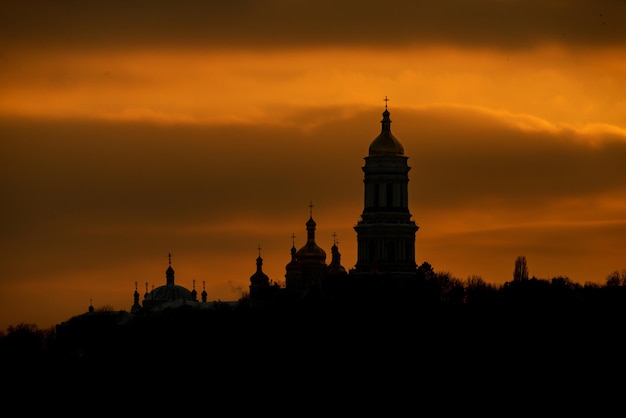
(386, 232)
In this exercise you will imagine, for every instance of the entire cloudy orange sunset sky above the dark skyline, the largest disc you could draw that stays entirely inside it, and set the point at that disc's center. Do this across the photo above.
(129, 131)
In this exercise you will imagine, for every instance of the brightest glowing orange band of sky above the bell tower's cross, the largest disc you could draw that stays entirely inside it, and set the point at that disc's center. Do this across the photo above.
(549, 84)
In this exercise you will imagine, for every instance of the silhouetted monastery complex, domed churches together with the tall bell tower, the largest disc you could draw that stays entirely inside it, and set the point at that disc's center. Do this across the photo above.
(385, 239)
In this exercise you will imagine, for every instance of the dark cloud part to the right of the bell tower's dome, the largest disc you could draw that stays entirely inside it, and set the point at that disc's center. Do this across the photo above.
(463, 155)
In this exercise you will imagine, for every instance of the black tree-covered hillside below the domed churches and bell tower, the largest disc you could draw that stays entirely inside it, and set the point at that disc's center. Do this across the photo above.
(438, 335)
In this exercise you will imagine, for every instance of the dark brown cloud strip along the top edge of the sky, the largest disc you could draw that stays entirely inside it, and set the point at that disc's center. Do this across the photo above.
(287, 24)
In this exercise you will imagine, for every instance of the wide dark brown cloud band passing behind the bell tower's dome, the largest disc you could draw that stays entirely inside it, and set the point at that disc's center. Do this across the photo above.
(142, 171)
